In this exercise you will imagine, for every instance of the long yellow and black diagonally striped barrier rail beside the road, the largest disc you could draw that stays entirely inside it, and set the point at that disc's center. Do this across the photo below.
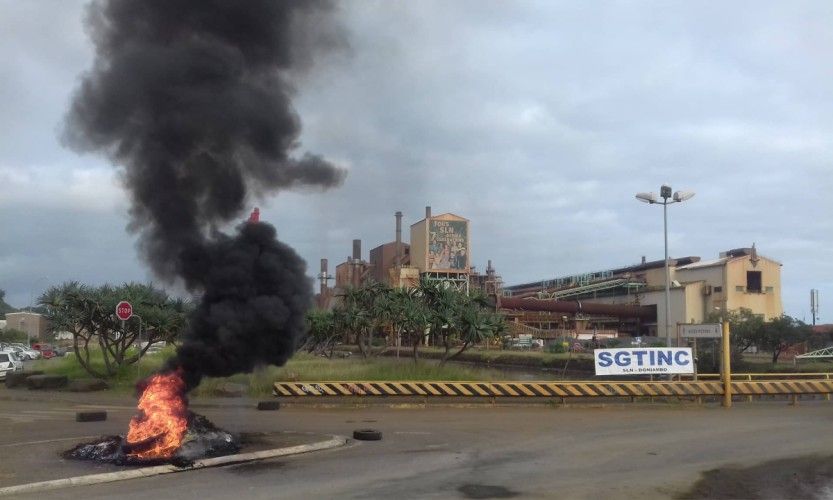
(548, 389)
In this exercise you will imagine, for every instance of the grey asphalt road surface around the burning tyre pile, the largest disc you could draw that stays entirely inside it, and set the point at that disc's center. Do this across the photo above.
(543, 452)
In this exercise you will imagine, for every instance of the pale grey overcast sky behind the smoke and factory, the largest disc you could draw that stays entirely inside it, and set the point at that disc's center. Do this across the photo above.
(538, 121)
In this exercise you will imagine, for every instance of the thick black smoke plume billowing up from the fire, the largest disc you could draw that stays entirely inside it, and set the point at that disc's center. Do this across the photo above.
(192, 100)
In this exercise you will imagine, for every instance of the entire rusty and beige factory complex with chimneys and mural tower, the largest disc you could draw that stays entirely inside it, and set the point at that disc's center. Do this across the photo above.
(620, 301)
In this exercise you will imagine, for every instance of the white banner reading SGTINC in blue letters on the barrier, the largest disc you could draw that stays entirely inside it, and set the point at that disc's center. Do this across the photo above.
(644, 361)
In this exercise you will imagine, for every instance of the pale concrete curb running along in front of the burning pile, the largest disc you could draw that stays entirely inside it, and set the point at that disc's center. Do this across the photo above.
(109, 477)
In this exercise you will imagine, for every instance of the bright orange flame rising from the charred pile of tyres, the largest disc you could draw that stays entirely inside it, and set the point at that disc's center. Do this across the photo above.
(162, 420)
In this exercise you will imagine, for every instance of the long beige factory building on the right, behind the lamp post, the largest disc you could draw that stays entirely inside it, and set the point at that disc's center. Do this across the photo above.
(738, 278)
